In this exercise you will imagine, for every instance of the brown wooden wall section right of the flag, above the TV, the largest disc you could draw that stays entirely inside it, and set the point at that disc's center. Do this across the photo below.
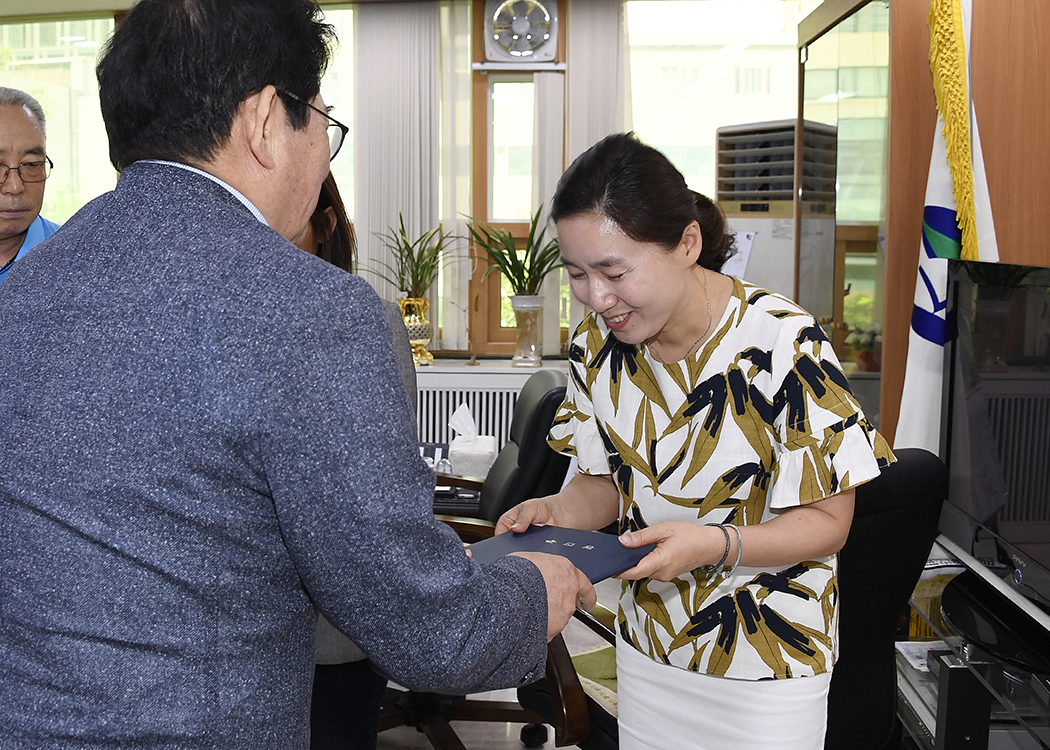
(1011, 61)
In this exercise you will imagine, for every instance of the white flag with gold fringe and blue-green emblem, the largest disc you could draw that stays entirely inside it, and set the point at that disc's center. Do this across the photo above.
(957, 222)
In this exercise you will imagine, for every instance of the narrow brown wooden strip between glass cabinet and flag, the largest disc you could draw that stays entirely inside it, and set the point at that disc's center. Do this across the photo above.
(913, 116)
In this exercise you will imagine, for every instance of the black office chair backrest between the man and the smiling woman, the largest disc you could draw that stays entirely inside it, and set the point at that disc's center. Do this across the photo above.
(527, 467)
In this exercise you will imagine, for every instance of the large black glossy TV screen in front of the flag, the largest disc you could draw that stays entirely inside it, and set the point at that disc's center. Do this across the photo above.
(997, 426)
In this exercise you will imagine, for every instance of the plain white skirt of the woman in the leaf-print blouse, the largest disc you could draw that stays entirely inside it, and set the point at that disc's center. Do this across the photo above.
(667, 709)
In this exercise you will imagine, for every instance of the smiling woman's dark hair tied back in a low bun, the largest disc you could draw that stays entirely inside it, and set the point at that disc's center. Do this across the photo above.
(640, 190)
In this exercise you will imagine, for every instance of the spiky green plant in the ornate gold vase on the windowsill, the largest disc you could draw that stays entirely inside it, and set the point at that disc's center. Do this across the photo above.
(413, 270)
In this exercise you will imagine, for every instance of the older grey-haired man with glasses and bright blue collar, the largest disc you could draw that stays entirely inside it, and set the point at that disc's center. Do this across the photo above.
(25, 166)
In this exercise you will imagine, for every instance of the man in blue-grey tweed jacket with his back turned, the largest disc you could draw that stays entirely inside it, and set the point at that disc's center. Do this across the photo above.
(204, 437)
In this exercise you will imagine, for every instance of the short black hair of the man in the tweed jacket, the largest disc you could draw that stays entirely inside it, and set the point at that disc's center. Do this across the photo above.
(175, 72)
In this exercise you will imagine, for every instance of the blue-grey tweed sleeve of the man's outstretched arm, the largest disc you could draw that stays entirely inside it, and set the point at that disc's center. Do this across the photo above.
(354, 502)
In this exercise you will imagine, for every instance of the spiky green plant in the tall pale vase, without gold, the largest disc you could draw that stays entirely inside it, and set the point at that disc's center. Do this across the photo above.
(524, 268)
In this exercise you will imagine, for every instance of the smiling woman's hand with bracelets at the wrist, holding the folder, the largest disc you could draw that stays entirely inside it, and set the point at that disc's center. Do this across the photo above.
(681, 547)
